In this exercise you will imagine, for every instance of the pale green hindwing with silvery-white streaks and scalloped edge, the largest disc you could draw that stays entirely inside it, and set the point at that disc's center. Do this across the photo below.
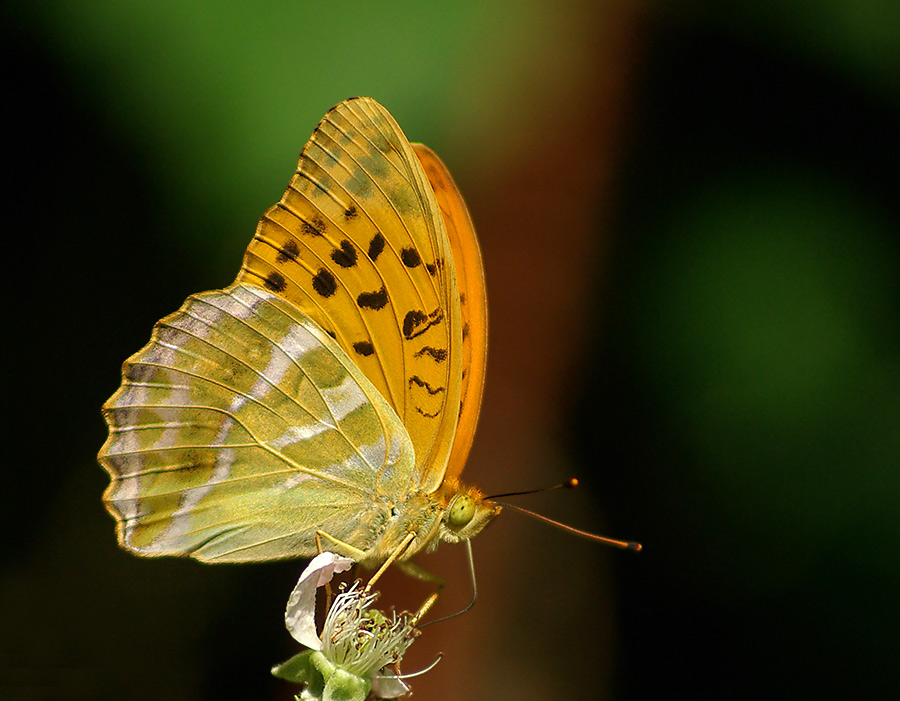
(241, 429)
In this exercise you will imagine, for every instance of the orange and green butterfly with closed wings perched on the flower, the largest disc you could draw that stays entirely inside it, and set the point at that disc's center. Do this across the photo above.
(329, 396)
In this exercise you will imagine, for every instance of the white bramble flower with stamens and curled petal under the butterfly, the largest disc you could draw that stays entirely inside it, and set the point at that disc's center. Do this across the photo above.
(357, 642)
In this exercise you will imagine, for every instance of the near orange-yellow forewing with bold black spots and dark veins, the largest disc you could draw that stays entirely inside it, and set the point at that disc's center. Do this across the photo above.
(358, 244)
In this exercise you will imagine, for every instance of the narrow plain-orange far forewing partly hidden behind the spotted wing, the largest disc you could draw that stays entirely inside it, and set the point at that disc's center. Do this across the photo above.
(473, 305)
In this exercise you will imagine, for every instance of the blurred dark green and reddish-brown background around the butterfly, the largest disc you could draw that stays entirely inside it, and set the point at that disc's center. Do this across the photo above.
(690, 224)
